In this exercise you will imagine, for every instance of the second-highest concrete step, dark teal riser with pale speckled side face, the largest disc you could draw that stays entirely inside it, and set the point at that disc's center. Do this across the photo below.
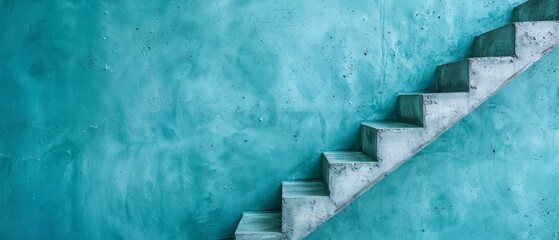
(520, 39)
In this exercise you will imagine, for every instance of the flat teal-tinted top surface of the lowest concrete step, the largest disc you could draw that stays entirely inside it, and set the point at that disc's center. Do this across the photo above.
(260, 222)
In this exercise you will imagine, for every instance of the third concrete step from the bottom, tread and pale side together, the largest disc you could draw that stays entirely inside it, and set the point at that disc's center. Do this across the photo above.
(346, 174)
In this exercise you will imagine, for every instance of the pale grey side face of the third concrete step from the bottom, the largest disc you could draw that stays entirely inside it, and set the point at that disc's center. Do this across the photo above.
(346, 180)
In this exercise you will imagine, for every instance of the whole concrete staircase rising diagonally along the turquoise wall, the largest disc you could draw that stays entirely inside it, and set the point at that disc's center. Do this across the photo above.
(497, 57)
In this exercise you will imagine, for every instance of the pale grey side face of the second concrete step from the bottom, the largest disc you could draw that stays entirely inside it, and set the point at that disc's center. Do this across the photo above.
(301, 216)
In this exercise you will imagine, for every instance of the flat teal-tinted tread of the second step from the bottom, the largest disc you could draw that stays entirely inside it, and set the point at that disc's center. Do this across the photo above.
(291, 189)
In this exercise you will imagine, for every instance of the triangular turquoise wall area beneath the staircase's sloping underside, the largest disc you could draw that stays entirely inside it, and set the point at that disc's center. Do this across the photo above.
(491, 176)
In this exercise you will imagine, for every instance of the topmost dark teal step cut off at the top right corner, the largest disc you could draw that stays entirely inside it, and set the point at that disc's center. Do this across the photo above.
(536, 10)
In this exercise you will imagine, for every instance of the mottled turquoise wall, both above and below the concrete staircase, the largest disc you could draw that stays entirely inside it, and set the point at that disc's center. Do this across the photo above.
(167, 120)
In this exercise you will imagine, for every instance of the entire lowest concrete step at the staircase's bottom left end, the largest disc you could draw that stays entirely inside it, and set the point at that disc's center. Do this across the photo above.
(260, 225)
